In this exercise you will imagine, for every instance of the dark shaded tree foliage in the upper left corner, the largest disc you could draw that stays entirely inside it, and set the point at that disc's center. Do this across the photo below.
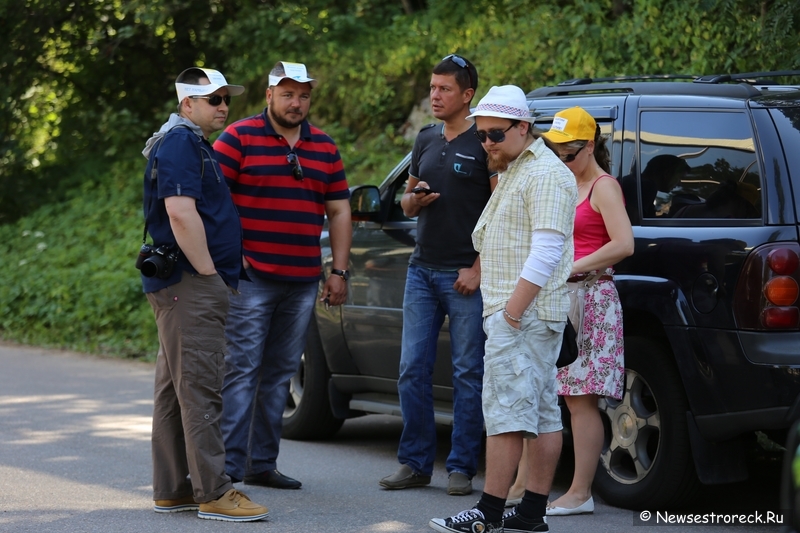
(85, 79)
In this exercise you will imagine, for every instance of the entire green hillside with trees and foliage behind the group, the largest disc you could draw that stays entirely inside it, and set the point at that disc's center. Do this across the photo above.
(85, 83)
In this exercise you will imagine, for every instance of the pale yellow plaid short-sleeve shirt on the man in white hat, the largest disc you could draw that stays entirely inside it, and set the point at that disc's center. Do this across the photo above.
(537, 191)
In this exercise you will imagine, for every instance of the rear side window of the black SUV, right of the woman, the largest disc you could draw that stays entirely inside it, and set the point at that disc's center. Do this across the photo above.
(698, 164)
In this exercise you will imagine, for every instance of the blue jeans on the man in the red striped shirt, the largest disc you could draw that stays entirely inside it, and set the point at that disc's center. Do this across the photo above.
(266, 335)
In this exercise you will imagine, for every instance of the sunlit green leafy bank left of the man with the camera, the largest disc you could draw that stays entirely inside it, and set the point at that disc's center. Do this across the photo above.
(67, 276)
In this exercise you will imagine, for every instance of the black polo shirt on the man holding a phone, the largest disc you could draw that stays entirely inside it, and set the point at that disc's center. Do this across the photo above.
(458, 170)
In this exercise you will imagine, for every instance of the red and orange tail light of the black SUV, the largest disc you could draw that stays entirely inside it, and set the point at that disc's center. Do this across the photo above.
(768, 288)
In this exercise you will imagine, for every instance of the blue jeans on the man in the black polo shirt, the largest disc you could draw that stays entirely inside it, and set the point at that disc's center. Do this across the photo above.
(429, 296)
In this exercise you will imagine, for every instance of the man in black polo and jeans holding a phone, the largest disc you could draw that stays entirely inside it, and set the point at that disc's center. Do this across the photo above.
(449, 165)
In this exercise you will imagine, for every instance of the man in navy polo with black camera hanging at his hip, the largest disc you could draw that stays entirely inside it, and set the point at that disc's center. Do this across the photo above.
(194, 262)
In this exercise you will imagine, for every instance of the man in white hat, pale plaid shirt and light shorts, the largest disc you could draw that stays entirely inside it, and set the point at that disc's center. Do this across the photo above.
(524, 236)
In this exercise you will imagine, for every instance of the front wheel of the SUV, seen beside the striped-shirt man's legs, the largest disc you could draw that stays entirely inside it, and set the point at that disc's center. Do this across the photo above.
(308, 414)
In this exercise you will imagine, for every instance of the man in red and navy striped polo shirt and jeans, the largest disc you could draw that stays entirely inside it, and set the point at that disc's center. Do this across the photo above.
(285, 176)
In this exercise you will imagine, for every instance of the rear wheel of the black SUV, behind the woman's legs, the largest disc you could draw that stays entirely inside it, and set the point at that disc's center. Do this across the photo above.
(646, 461)
